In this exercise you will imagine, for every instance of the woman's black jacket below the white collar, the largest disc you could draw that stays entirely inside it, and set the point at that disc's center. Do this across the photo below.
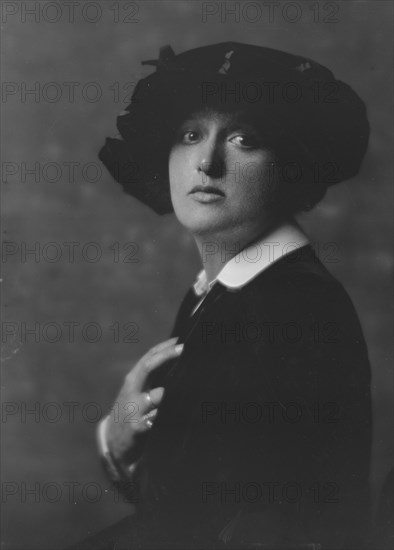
(287, 465)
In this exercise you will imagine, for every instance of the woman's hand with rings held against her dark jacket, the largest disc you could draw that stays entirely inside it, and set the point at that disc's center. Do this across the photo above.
(137, 404)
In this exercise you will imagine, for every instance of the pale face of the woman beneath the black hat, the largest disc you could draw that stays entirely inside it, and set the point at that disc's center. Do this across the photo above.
(221, 174)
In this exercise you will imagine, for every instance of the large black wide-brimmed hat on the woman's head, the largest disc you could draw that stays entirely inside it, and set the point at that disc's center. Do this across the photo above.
(296, 99)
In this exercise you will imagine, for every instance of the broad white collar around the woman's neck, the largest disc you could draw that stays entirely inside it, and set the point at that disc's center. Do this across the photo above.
(255, 258)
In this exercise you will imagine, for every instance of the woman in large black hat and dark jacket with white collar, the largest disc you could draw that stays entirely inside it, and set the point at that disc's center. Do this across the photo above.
(251, 425)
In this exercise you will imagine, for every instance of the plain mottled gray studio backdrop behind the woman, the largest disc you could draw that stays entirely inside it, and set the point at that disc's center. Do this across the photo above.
(92, 279)
